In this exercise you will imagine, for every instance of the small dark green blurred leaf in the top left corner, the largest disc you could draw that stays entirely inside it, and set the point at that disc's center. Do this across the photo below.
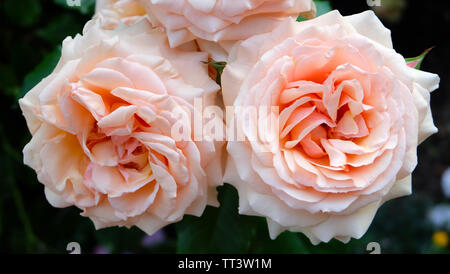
(24, 12)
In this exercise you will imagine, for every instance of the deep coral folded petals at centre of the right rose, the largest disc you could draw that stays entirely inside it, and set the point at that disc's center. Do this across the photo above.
(312, 114)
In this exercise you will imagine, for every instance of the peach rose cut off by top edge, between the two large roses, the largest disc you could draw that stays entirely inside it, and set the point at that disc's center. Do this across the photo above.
(221, 21)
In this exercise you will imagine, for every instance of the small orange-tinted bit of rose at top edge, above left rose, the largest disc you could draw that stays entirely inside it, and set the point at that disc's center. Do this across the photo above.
(113, 12)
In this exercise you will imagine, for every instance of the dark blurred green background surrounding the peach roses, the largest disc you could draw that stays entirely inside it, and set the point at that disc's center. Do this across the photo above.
(31, 35)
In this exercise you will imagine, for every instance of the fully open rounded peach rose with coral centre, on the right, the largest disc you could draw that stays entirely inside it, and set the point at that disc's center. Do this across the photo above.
(351, 114)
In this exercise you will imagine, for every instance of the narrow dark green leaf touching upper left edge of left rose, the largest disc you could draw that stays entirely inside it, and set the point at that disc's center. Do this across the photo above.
(41, 71)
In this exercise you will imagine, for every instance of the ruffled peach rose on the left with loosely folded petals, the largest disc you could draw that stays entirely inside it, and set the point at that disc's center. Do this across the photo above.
(101, 126)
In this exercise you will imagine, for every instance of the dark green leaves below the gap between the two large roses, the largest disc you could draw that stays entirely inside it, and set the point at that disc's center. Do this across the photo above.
(223, 230)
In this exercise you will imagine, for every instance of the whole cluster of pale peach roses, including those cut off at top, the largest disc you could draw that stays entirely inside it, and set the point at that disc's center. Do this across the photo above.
(352, 113)
